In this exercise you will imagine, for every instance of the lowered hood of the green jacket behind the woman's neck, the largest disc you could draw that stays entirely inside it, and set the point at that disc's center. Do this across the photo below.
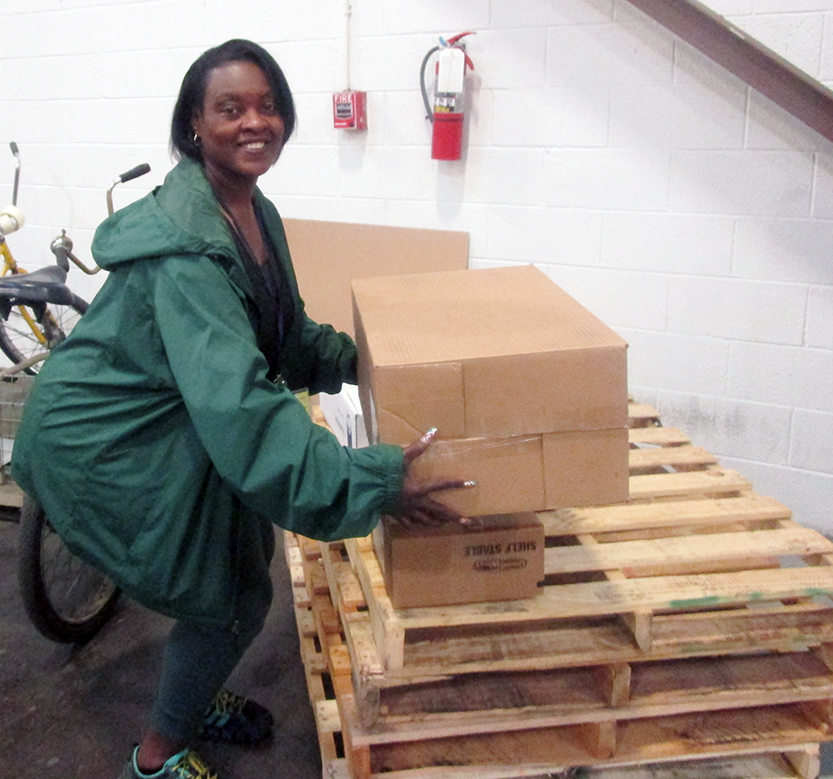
(179, 217)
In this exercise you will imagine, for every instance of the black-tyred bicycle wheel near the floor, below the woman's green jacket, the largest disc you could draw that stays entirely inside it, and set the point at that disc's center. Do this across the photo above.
(66, 599)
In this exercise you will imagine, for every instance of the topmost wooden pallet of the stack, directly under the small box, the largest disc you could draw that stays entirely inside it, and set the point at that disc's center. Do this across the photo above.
(691, 565)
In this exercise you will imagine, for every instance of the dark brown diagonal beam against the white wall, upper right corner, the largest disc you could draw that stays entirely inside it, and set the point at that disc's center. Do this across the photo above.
(751, 61)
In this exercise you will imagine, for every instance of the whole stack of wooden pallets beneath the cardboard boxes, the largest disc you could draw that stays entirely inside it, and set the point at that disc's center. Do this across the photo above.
(693, 621)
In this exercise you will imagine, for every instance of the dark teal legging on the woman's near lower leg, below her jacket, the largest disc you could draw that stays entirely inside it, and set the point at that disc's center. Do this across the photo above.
(196, 664)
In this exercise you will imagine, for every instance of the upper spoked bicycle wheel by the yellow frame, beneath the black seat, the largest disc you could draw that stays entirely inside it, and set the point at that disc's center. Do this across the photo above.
(23, 335)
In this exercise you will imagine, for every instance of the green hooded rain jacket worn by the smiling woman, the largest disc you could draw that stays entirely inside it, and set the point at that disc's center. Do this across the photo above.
(152, 437)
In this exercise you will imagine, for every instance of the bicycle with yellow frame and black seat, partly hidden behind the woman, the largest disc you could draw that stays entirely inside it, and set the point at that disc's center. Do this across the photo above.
(66, 599)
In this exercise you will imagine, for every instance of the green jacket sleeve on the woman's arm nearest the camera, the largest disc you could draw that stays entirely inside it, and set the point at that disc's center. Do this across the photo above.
(258, 436)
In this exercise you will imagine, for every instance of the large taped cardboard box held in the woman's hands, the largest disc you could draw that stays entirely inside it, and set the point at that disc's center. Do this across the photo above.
(527, 388)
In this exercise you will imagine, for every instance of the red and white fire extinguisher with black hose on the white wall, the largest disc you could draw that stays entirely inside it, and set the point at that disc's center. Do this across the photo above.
(447, 113)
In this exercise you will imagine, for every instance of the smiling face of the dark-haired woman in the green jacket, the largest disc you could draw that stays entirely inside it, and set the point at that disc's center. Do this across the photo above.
(240, 130)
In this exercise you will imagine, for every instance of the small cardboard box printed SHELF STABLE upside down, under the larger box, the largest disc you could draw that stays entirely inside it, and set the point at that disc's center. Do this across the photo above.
(491, 559)
